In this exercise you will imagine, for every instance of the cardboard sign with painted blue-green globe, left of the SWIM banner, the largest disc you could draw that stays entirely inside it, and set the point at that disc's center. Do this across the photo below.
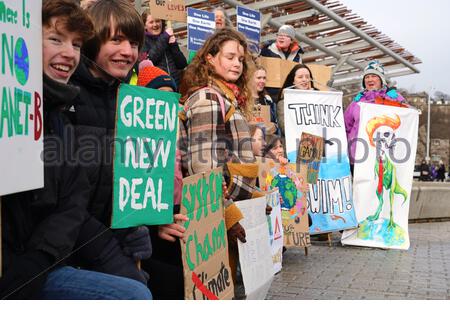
(293, 189)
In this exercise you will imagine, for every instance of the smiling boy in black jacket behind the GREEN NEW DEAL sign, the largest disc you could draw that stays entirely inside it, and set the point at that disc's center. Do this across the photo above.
(109, 58)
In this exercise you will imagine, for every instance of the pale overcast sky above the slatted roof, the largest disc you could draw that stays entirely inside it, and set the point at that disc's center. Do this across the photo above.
(422, 28)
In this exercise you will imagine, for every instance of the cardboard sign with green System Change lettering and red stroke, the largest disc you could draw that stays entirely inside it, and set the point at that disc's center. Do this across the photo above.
(207, 274)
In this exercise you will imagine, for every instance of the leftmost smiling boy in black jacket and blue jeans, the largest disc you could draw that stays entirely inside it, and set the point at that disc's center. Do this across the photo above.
(42, 228)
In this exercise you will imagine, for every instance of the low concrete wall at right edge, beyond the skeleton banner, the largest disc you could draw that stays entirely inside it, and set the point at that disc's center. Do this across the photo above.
(430, 200)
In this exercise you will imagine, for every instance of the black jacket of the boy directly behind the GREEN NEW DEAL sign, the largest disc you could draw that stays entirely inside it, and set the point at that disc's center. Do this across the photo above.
(94, 119)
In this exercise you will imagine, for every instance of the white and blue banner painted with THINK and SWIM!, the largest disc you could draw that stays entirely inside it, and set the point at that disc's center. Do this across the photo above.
(320, 113)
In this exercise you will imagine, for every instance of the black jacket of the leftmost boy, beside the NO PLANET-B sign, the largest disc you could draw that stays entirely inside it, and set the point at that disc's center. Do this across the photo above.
(40, 227)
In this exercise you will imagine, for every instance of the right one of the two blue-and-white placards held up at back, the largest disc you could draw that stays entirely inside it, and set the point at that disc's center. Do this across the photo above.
(249, 23)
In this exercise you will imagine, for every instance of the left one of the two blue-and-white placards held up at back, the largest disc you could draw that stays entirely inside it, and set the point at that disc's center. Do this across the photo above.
(201, 24)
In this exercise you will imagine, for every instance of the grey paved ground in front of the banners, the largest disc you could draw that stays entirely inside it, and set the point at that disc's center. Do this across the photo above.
(339, 272)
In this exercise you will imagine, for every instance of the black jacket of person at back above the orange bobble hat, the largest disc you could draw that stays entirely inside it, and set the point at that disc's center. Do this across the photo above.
(164, 55)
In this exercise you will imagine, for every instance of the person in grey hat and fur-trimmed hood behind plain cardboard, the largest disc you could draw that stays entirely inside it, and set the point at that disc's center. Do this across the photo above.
(285, 46)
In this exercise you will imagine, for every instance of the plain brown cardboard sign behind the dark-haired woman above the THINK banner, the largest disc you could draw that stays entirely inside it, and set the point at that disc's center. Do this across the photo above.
(278, 69)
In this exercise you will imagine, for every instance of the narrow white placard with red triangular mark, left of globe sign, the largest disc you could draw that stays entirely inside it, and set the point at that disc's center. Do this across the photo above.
(274, 222)
